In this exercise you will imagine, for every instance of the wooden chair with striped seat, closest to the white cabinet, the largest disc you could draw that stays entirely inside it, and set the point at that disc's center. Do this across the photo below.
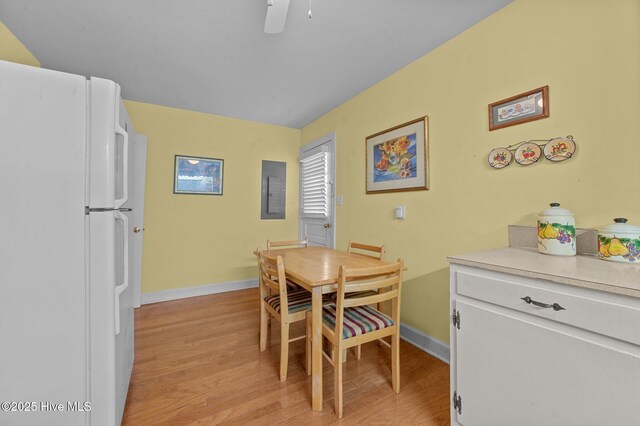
(351, 321)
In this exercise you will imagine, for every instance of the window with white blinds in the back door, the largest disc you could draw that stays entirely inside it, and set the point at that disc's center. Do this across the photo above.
(315, 186)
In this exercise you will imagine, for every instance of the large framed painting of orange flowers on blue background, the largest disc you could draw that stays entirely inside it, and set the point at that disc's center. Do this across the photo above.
(397, 159)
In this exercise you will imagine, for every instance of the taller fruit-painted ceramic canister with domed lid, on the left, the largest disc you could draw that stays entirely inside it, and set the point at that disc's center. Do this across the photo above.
(556, 231)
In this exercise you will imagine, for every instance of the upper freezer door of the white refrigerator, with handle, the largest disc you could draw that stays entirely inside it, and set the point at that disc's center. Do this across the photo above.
(109, 147)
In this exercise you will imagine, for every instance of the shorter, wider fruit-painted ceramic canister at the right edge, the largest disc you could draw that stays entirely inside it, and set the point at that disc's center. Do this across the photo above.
(619, 242)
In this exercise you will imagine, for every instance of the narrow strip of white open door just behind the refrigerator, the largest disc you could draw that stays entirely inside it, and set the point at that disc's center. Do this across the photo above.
(136, 228)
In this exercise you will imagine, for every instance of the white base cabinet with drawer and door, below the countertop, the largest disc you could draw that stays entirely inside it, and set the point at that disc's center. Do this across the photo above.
(528, 351)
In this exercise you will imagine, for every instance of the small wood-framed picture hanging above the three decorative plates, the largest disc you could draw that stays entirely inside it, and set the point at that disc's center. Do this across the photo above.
(528, 106)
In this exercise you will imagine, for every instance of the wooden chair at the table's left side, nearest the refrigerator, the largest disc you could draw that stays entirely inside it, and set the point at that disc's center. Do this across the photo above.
(284, 305)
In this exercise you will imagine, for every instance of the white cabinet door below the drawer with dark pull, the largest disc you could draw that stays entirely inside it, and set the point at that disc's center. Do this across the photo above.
(516, 370)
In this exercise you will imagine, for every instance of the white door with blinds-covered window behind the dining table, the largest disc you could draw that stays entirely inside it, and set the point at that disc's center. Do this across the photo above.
(317, 183)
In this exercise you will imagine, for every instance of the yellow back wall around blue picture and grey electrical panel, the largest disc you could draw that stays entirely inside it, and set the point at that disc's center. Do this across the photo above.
(194, 240)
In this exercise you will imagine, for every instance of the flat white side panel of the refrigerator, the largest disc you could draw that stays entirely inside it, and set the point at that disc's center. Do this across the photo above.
(43, 312)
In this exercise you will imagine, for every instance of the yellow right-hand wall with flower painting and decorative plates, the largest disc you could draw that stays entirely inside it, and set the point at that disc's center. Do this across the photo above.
(587, 51)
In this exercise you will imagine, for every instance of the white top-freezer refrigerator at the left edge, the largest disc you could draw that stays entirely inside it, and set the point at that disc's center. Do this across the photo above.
(66, 307)
